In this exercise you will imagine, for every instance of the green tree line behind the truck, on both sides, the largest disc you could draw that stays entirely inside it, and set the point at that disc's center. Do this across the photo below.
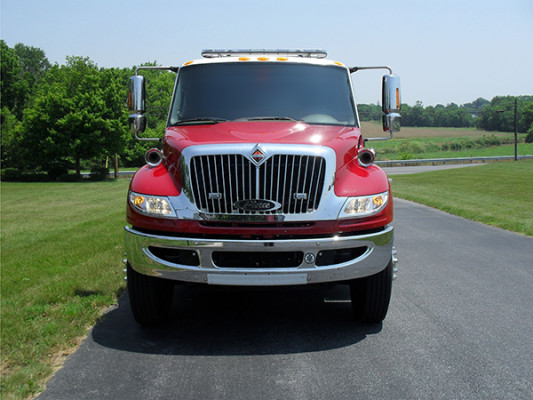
(56, 118)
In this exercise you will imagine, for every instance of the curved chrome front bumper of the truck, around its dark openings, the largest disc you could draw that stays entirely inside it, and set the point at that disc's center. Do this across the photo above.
(141, 257)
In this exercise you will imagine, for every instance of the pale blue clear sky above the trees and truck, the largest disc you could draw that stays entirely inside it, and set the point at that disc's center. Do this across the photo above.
(443, 50)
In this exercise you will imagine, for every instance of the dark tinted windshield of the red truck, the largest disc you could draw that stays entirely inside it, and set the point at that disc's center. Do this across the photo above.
(263, 91)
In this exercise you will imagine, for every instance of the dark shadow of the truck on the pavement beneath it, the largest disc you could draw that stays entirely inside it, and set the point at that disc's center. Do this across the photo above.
(229, 321)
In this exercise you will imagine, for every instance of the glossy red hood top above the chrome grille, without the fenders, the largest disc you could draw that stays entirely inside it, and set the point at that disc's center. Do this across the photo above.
(341, 139)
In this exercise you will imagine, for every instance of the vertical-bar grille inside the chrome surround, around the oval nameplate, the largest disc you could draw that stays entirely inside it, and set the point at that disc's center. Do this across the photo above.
(294, 181)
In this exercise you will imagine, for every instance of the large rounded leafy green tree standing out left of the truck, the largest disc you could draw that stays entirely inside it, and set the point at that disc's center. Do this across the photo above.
(77, 114)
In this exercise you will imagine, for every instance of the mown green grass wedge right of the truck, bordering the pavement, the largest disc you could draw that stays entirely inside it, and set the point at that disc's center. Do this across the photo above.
(497, 194)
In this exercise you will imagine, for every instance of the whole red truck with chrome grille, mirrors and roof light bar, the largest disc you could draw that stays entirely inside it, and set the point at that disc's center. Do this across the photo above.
(263, 178)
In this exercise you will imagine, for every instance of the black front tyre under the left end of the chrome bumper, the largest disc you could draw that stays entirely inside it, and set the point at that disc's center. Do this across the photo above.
(150, 297)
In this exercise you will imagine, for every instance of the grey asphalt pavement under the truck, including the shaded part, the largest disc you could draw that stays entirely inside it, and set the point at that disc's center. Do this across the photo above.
(460, 326)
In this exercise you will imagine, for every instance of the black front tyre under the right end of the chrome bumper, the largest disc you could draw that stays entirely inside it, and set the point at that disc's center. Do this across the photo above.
(371, 296)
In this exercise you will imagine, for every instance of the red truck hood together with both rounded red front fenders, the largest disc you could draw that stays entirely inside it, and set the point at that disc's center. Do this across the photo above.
(350, 178)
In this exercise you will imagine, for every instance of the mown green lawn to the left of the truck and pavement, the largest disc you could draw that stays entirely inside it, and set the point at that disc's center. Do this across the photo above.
(62, 246)
